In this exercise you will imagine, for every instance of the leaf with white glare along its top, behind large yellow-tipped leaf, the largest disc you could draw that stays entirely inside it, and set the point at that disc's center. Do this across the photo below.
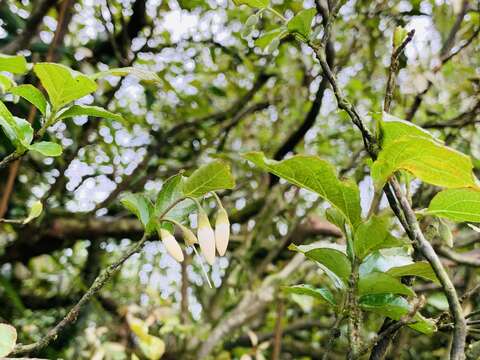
(393, 128)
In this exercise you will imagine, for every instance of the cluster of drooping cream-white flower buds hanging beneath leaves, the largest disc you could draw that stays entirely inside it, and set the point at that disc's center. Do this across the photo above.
(209, 240)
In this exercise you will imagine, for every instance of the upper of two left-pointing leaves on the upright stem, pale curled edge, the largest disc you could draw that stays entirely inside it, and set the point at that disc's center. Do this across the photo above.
(334, 262)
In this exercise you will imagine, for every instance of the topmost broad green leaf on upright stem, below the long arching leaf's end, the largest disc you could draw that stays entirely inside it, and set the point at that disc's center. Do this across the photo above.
(374, 235)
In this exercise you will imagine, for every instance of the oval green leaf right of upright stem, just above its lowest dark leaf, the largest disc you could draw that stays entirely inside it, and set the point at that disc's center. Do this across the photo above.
(382, 283)
